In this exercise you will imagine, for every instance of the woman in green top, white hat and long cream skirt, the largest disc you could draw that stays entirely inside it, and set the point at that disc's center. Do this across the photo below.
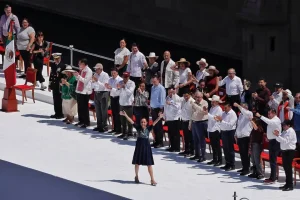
(68, 95)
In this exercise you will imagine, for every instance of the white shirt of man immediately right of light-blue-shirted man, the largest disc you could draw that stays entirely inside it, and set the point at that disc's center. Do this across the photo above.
(172, 111)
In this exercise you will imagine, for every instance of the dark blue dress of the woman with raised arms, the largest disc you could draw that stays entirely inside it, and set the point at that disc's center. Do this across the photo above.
(142, 153)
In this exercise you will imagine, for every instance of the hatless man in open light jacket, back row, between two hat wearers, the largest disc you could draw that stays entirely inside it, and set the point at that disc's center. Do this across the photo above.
(168, 76)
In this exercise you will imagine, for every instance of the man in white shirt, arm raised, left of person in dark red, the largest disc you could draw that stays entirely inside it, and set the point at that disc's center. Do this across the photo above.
(242, 133)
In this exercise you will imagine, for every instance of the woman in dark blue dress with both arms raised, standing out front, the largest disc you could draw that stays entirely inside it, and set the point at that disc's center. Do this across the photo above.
(143, 153)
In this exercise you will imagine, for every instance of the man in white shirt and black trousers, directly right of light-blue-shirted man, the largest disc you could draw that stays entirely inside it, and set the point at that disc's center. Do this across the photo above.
(172, 115)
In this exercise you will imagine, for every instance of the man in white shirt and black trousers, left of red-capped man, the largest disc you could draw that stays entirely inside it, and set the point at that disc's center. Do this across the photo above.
(114, 100)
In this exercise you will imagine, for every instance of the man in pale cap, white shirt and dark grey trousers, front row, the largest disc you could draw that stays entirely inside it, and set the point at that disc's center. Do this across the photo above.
(99, 80)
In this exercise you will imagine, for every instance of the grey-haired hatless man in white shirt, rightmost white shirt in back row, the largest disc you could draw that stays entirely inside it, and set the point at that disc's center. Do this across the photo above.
(234, 88)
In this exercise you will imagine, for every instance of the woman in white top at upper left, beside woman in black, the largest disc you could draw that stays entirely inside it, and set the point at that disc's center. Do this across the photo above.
(25, 40)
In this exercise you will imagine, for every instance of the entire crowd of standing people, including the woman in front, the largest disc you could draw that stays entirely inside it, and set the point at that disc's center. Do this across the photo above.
(198, 104)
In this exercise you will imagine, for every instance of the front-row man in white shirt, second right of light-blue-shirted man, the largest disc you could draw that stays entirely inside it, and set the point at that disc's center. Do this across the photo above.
(186, 114)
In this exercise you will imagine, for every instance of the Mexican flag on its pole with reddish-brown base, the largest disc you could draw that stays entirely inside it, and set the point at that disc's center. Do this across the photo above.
(9, 100)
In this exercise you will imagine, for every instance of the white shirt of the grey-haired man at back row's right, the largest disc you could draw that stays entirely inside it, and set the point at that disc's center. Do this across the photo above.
(233, 86)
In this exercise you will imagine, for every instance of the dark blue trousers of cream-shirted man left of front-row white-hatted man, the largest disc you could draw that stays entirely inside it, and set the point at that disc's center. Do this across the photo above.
(199, 129)
